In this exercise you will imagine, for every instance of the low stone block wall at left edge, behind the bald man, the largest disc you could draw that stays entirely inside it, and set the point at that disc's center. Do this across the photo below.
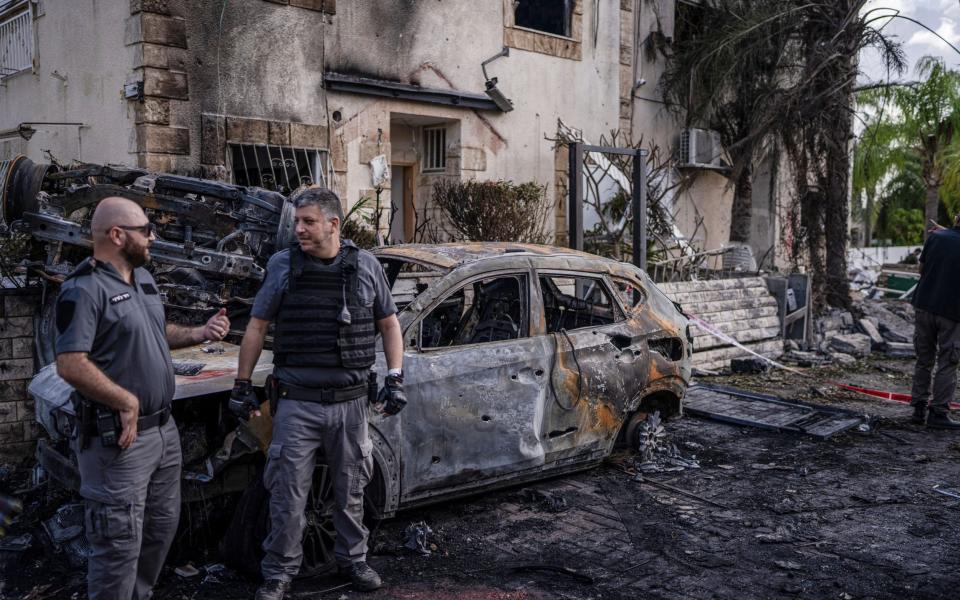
(18, 428)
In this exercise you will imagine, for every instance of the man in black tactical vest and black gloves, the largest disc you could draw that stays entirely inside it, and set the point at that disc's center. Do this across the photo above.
(327, 299)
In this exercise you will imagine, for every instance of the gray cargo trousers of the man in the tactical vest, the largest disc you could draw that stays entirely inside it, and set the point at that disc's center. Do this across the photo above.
(299, 429)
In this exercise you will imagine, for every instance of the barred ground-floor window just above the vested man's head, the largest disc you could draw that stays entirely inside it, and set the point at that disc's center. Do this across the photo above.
(277, 168)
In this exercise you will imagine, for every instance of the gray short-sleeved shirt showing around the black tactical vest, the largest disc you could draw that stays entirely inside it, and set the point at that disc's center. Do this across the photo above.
(373, 291)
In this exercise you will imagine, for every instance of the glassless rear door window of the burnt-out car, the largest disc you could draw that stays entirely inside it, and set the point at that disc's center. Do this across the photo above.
(575, 302)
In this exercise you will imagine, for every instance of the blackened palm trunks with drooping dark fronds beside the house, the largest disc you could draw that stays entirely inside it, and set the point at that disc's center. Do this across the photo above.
(784, 71)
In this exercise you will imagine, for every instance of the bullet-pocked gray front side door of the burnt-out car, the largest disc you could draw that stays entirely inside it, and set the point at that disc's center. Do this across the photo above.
(476, 381)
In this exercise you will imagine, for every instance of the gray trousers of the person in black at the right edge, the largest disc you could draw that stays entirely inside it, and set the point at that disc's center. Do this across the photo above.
(936, 341)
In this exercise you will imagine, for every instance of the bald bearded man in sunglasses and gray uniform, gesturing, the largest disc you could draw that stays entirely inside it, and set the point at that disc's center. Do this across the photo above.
(113, 346)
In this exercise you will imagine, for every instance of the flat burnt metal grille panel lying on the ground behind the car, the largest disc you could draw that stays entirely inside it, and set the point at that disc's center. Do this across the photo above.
(740, 407)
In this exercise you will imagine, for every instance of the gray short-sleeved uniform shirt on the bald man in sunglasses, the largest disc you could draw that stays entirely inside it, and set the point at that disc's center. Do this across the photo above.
(122, 327)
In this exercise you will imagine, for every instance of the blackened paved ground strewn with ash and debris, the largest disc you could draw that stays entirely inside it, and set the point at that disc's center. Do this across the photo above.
(778, 515)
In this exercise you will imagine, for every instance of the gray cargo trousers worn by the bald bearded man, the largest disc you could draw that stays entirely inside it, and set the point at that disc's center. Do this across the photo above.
(132, 500)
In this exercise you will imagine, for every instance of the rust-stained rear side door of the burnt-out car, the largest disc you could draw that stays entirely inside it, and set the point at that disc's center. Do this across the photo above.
(598, 363)
